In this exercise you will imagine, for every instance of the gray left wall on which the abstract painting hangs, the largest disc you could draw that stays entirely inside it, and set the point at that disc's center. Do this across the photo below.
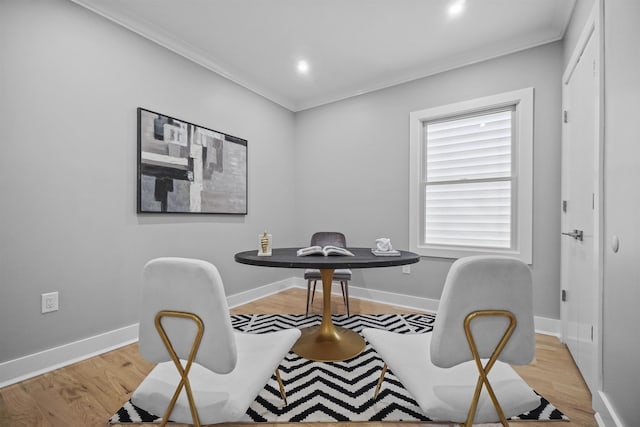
(70, 82)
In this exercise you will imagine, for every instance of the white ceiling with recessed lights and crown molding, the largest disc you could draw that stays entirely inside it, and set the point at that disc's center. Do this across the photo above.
(352, 46)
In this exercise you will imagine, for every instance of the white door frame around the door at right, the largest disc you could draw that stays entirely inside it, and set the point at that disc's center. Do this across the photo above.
(593, 27)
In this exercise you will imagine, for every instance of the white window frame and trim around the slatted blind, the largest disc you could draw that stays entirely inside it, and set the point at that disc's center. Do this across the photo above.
(522, 178)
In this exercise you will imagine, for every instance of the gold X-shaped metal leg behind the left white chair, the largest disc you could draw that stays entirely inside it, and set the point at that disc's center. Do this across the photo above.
(183, 371)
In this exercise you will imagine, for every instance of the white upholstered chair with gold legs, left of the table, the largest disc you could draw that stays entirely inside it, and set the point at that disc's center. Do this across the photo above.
(206, 372)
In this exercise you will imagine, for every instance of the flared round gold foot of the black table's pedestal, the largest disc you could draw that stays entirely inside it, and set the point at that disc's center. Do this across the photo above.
(332, 345)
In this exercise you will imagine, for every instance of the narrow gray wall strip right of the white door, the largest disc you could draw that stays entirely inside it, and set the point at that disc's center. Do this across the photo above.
(621, 374)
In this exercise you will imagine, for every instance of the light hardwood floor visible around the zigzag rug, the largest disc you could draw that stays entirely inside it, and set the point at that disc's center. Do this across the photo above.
(89, 392)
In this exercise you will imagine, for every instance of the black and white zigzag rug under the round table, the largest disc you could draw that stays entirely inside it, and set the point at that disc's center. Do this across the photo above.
(334, 391)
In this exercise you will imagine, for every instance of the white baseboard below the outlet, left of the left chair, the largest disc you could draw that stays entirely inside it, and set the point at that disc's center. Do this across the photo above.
(16, 370)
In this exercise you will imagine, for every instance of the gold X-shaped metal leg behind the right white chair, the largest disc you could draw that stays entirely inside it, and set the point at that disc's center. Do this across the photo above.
(483, 371)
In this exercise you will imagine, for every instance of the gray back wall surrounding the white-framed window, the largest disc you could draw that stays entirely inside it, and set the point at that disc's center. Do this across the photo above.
(352, 167)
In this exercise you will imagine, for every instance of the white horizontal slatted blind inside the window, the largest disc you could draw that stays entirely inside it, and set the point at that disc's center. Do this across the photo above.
(467, 180)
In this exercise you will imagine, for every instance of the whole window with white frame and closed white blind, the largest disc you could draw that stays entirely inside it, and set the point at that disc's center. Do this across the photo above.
(471, 177)
